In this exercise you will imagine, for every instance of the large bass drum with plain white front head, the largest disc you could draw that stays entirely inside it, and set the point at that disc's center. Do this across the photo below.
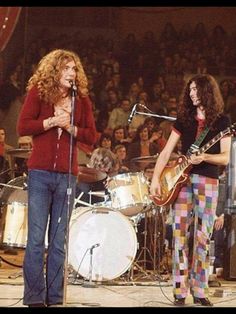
(102, 243)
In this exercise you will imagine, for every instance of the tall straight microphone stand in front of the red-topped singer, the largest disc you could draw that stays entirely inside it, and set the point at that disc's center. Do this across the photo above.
(69, 192)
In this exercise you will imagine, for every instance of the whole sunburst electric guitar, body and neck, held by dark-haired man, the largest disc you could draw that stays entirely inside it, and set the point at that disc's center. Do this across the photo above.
(173, 177)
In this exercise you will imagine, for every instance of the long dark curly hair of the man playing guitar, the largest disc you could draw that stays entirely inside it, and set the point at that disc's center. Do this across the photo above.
(210, 96)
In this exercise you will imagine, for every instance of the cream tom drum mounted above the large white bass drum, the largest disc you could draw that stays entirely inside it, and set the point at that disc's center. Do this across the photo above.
(129, 193)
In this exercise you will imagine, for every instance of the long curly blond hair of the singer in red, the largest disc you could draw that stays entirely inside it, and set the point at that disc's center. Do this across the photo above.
(48, 72)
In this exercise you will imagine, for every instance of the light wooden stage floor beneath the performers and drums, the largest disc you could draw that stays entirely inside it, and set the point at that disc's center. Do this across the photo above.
(145, 288)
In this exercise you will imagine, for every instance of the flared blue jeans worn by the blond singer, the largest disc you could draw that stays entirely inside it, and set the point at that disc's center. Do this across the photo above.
(47, 197)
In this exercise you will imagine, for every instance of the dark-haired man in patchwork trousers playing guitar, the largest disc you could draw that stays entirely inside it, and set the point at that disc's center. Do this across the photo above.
(201, 106)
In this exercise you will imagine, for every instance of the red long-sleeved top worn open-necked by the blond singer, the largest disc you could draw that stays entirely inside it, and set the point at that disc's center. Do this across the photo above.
(49, 152)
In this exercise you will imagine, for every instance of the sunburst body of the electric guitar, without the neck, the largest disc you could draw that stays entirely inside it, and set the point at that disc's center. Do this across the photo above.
(172, 179)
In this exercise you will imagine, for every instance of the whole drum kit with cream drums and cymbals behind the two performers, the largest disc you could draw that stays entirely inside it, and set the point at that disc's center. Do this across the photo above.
(103, 242)
